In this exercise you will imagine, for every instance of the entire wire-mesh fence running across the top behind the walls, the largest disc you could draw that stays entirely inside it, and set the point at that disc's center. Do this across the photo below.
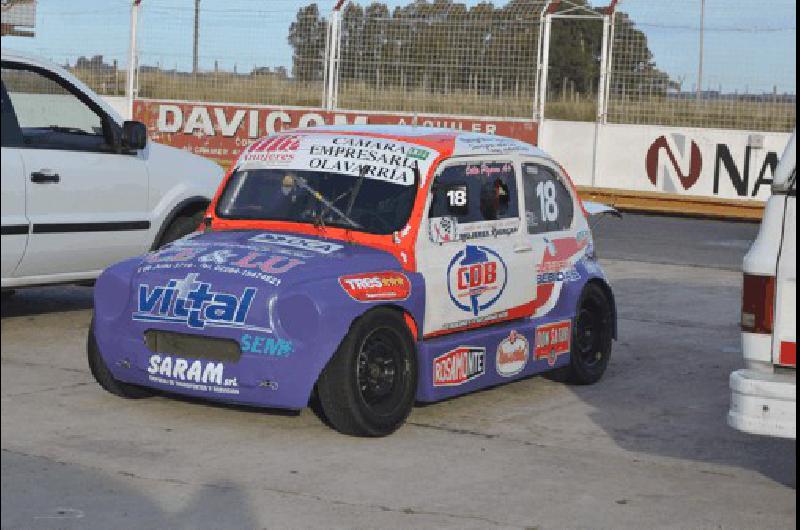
(442, 56)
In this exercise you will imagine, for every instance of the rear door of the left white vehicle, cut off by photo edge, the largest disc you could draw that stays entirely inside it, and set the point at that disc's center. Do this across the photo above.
(15, 225)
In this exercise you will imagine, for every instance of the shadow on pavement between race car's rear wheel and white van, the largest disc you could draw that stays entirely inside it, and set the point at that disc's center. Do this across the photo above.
(666, 390)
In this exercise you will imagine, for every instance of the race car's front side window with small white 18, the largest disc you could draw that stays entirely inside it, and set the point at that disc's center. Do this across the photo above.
(476, 191)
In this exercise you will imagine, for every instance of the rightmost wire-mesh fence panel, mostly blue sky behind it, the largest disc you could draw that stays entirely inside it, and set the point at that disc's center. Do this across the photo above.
(704, 63)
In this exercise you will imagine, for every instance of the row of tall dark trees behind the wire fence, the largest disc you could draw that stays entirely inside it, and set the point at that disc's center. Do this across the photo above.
(444, 46)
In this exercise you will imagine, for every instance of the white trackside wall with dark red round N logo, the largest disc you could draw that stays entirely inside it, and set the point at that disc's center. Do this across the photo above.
(701, 157)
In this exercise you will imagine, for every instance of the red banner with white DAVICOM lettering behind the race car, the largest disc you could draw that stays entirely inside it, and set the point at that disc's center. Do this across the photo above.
(222, 131)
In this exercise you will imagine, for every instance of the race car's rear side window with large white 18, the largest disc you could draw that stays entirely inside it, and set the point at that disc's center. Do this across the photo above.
(549, 205)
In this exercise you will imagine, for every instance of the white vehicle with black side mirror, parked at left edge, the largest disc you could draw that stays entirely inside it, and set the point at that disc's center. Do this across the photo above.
(81, 188)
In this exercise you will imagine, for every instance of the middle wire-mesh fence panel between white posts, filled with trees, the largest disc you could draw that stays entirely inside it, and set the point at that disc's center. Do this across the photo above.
(440, 57)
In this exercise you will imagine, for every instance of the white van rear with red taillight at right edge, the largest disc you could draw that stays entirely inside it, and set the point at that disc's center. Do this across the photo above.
(763, 395)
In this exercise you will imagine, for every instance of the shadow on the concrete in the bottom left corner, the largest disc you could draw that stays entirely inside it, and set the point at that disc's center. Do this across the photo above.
(41, 493)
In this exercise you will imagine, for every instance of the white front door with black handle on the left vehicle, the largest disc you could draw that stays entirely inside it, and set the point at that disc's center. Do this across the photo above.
(86, 201)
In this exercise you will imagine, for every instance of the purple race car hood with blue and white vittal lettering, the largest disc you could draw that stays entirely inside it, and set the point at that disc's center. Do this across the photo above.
(224, 280)
